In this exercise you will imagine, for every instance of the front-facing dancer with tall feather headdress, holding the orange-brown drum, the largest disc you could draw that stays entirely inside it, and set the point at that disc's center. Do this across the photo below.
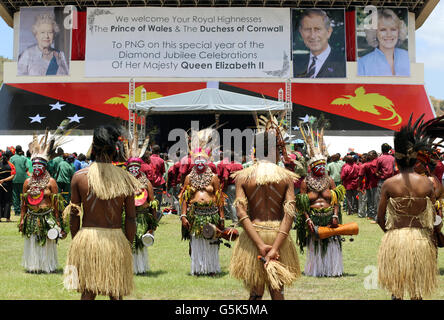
(318, 205)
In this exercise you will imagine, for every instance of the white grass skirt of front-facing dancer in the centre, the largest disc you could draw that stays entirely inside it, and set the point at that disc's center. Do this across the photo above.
(204, 256)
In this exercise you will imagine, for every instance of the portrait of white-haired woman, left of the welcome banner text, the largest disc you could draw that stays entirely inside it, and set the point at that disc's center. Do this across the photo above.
(39, 55)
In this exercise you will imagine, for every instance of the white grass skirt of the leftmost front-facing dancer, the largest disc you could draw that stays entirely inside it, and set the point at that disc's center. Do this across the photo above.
(38, 258)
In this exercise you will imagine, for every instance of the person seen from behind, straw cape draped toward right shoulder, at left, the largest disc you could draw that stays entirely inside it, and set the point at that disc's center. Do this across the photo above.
(99, 259)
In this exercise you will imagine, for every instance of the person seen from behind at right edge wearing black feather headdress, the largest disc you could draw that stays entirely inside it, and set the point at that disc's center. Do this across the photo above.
(407, 256)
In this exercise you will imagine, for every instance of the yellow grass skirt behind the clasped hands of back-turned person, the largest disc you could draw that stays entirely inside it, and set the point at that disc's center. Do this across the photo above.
(245, 265)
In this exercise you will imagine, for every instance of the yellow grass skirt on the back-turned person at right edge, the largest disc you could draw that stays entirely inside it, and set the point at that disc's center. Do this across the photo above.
(407, 262)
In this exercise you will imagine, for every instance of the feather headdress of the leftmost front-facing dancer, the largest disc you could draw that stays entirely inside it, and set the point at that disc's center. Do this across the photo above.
(45, 147)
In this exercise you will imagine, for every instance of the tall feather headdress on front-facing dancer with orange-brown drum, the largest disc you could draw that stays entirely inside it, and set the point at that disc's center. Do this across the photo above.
(313, 134)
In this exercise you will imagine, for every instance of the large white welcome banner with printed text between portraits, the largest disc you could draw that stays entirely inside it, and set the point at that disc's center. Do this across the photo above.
(188, 42)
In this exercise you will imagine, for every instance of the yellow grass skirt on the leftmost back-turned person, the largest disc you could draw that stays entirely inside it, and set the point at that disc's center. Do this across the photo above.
(100, 261)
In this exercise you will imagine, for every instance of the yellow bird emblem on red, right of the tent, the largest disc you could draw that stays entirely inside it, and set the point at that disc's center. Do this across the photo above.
(369, 102)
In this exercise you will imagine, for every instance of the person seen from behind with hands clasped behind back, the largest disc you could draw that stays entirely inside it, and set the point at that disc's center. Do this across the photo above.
(265, 208)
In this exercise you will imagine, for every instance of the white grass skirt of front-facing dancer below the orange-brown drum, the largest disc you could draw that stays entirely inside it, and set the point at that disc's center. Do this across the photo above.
(328, 264)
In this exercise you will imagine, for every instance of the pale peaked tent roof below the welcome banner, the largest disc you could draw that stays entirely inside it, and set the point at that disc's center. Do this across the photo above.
(209, 99)
